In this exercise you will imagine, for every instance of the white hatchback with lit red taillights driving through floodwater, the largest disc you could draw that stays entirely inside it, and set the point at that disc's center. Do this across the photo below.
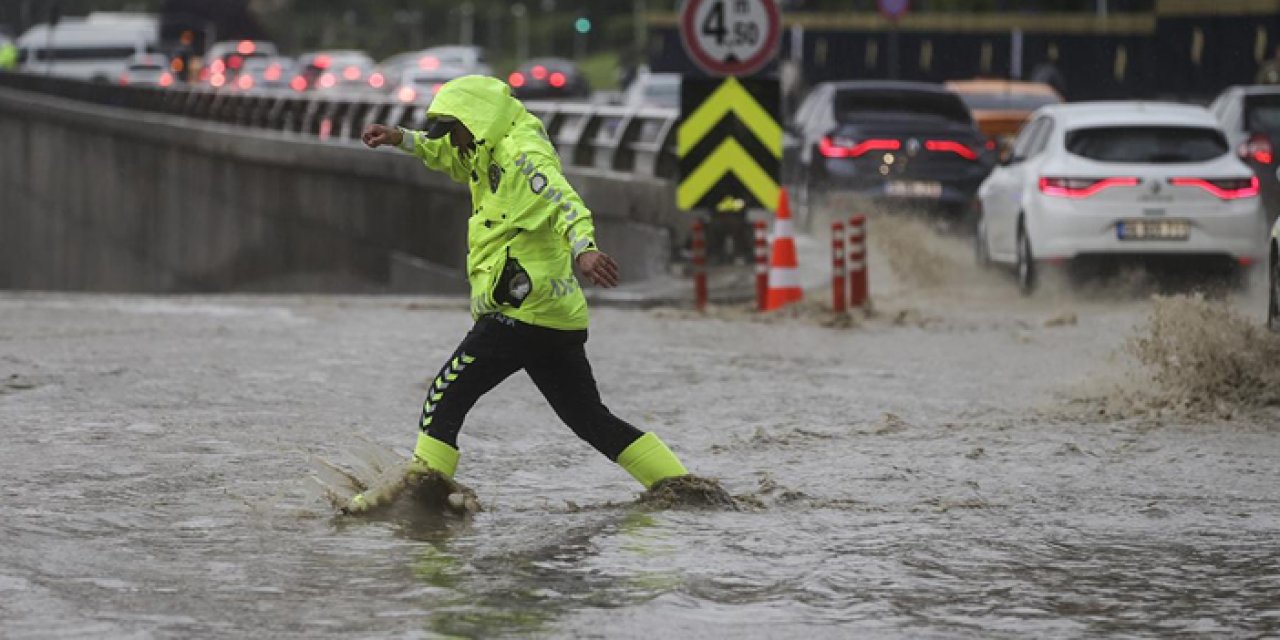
(1150, 181)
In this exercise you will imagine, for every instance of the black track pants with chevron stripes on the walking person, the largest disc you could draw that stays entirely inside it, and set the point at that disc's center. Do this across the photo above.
(556, 360)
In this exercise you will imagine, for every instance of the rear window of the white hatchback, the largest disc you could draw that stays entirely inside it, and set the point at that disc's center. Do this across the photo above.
(1148, 144)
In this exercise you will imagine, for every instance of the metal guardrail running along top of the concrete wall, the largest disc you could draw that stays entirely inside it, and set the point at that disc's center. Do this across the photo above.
(615, 139)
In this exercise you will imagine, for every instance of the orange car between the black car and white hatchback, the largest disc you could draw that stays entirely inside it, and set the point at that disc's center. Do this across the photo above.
(1002, 107)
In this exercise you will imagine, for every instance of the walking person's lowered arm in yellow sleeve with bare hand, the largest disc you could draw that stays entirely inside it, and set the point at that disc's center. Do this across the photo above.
(551, 198)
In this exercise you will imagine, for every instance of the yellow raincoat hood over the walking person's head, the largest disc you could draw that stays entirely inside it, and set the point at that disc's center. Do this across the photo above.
(482, 104)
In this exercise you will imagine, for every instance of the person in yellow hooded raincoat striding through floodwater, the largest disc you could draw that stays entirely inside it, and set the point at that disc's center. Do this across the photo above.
(528, 230)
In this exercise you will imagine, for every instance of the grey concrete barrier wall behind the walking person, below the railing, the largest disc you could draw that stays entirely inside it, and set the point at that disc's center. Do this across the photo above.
(99, 199)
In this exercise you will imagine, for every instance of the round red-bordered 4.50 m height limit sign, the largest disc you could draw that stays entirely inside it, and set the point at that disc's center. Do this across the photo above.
(730, 38)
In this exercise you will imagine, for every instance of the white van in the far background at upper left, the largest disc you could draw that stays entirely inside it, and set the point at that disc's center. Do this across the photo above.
(97, 48)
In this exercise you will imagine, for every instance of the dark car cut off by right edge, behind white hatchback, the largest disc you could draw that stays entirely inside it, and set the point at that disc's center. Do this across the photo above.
(1251, 118)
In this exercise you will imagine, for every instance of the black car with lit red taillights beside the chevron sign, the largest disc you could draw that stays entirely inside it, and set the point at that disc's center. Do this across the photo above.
(889, 144)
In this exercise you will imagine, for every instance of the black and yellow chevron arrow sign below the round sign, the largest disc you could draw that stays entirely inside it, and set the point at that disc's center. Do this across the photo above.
(729, 144)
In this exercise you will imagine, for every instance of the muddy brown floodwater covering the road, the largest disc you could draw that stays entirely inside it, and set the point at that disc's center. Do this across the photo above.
(954, 467)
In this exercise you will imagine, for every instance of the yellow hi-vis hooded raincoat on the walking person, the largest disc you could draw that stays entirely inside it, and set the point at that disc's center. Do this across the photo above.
(523, 207)
